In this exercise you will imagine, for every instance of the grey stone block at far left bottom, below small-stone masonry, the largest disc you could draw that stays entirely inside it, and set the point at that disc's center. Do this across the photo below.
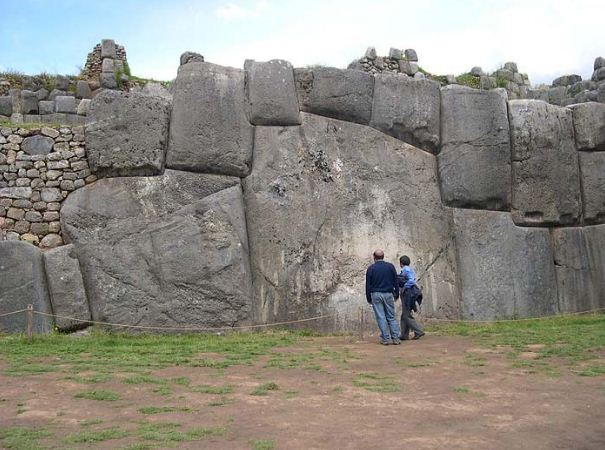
(22, 282)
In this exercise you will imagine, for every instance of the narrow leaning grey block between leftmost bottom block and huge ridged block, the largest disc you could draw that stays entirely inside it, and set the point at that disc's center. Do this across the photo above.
(66, 288)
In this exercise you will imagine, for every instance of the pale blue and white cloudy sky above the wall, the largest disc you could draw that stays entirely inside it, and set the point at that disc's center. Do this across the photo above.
(547, 38)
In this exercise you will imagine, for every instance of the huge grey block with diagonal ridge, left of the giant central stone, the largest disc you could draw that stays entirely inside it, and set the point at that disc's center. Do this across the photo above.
(168, 250)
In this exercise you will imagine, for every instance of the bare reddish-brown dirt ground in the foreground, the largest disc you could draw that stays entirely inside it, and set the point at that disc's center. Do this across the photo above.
(438, 392)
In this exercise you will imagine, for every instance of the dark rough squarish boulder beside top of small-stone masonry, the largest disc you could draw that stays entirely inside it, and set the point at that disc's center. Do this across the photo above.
(126, 134)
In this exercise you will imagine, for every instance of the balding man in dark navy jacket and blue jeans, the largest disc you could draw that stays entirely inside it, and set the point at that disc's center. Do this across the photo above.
(381, 292)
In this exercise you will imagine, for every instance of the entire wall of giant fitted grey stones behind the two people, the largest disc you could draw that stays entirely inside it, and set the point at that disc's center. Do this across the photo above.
(255, 196)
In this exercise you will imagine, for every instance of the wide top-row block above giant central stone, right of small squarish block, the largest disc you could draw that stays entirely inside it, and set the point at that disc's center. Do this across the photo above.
(338, 93)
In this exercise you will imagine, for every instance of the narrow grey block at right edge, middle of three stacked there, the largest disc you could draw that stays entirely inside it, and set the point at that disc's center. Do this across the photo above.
(592, 171)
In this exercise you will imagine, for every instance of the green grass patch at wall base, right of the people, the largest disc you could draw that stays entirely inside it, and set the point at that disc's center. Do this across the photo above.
(576, 340)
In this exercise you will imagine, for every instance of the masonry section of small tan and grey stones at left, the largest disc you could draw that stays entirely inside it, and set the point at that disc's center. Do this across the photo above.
(39, 167)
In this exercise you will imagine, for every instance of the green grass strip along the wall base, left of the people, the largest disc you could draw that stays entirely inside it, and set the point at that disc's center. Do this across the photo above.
(139, 354)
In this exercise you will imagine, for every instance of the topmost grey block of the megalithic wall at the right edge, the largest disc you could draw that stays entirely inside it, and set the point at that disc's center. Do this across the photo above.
(589, 125)
